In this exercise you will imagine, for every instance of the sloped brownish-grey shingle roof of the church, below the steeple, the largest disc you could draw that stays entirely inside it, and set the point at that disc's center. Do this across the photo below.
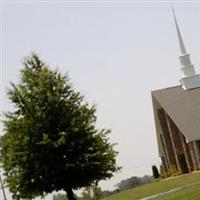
(183, 106)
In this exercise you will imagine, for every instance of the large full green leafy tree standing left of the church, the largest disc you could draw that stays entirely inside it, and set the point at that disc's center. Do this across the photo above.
(50, 141)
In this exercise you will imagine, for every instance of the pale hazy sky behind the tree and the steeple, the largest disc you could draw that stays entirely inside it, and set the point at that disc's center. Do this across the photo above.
(116, 53)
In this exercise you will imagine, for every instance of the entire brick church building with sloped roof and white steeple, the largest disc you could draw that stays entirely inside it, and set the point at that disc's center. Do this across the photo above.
(177, 117)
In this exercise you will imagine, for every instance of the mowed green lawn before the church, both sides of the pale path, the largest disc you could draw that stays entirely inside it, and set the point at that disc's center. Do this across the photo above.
(163, 186)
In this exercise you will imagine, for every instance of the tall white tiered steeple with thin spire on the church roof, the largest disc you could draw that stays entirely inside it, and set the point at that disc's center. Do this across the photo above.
(190, 79)
